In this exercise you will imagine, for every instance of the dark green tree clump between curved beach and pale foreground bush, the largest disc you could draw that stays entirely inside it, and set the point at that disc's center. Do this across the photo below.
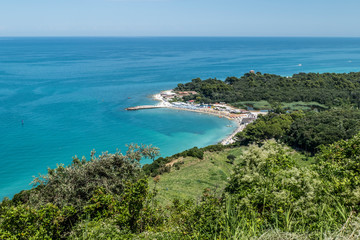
(306, 131)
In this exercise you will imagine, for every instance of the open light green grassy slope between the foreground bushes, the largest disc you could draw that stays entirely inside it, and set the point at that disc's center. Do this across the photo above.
(196, 175)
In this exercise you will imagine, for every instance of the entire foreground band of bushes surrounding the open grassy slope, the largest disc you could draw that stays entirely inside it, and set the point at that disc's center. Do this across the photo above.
(268, 194)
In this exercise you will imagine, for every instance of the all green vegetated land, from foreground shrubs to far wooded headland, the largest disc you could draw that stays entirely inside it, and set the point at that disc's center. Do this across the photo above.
(290, 175)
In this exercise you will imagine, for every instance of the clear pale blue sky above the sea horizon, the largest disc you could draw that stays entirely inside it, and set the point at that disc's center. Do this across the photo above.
(180, 18)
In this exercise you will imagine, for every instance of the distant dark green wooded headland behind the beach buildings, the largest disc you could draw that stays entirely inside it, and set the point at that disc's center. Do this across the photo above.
(331, 89)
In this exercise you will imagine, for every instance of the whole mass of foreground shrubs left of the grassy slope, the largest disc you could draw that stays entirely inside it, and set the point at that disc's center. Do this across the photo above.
(111, 187)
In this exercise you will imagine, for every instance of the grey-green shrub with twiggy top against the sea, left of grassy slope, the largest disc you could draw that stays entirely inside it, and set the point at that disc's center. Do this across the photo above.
(74, 185)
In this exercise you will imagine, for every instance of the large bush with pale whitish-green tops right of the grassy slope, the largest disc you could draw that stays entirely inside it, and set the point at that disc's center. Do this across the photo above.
(267, 181)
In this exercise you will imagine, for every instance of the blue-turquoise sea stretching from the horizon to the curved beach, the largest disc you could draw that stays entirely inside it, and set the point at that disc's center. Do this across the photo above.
(71, 92)
